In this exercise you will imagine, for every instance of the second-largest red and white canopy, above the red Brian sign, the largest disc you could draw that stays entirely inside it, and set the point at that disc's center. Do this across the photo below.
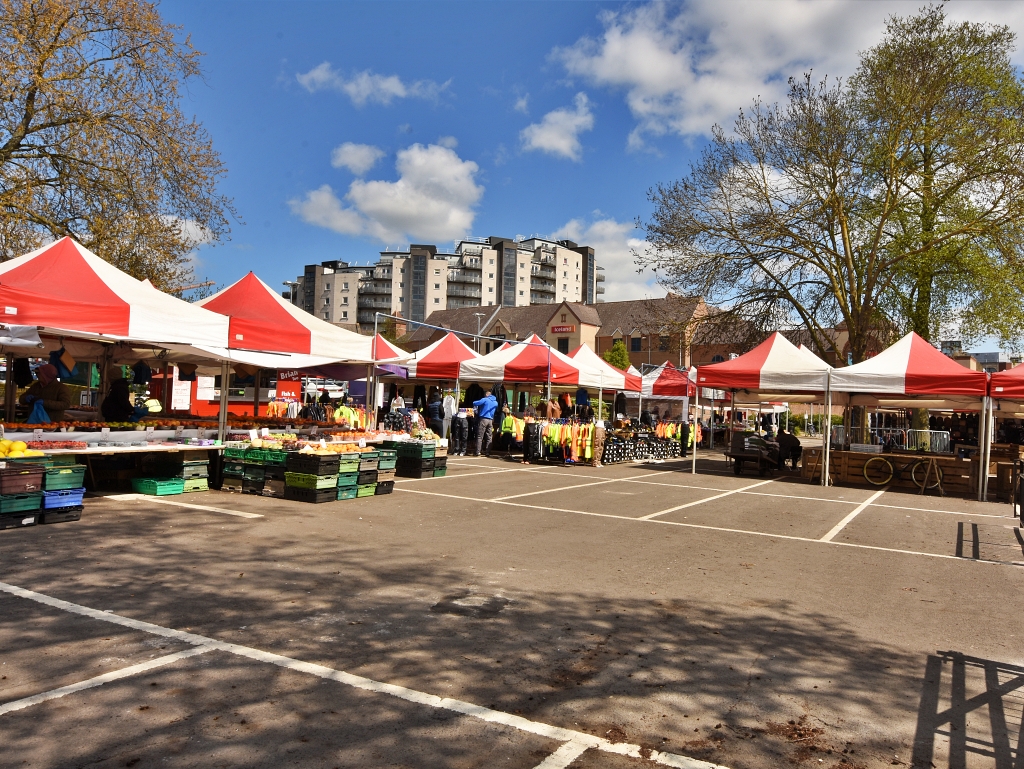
(262, 320)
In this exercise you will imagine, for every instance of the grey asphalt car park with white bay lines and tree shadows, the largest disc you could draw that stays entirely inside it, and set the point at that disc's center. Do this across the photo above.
(521, 616)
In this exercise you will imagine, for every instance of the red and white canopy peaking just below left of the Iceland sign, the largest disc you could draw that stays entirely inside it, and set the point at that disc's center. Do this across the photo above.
(530, 361)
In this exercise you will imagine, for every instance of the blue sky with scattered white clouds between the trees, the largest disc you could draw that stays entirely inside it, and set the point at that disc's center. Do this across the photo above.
(350, 127)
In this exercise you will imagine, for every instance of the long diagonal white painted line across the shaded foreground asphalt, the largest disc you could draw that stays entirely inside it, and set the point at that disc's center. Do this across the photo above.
(360, 682)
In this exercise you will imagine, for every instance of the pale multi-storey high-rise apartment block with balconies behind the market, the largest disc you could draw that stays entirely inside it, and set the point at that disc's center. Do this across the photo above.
(481, 272)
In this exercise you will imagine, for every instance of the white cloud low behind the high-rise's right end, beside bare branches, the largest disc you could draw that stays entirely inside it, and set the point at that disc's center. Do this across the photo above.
(614, 243)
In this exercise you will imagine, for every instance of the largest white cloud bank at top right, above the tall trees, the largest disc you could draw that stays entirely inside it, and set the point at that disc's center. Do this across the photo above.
(685, 68)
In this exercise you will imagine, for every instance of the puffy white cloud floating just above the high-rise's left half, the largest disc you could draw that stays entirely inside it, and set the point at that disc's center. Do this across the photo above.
(434, 201)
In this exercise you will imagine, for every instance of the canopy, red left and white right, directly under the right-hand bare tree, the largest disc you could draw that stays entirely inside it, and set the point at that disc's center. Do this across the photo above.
(776, 366)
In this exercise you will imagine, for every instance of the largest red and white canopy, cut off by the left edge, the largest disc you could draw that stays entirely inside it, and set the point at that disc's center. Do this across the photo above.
(65, 288)
